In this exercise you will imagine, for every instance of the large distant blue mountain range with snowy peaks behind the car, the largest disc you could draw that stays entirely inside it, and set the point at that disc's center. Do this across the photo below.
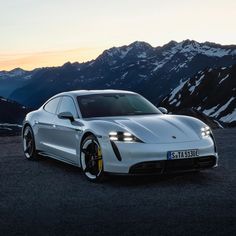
(139, 67)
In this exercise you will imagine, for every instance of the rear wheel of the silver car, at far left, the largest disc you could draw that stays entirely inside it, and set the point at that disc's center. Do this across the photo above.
(29, 144)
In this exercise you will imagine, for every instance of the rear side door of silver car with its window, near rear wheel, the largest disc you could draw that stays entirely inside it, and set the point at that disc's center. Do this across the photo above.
(45, 126)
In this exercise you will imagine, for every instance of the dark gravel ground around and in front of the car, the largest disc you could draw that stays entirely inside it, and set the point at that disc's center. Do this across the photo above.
(47, 197)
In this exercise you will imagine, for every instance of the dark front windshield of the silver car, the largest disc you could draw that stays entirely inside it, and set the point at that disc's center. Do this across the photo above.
(102, 105)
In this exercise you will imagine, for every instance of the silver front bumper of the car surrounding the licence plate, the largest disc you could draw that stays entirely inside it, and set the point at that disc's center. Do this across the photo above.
(136, 154)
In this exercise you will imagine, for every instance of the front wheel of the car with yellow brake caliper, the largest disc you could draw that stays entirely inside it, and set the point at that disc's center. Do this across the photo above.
(91, 161)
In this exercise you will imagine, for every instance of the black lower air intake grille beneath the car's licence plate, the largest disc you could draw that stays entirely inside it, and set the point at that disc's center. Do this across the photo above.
(159, 167)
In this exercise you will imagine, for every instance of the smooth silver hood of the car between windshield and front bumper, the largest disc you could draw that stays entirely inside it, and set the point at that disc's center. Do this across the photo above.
(160, 128)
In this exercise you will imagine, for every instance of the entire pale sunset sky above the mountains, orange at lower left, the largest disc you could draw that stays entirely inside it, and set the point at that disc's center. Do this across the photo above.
(36, 33)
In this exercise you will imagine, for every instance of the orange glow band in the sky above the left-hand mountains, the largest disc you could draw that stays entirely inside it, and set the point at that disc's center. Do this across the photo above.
(29, 61)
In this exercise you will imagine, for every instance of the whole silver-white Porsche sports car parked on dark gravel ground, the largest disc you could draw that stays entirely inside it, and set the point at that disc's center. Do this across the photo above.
(119, 132)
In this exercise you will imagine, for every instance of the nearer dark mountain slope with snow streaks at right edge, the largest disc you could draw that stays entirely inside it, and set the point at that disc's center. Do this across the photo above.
(211, 91)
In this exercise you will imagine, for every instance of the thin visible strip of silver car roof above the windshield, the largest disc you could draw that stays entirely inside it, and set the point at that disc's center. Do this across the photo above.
(90, 92)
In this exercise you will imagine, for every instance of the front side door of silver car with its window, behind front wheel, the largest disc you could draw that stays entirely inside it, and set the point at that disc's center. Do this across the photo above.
(66, 134)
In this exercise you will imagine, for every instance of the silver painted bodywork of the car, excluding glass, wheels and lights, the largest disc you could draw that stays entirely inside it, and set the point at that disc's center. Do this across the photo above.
(61, 139)
